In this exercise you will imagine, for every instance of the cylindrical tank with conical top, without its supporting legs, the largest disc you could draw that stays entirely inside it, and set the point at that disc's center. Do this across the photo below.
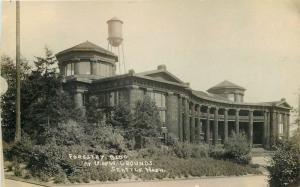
(115, 32)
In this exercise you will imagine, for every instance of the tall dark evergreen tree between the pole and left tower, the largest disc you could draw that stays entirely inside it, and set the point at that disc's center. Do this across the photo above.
(47, 104)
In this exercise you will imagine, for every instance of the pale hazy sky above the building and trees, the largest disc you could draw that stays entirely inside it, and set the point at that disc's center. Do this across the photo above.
(253, 43)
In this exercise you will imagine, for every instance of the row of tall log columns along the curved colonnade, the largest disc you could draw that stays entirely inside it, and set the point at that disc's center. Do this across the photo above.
(190, 126)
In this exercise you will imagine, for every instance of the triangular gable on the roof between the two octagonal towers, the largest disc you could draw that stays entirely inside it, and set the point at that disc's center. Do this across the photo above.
(161, 74)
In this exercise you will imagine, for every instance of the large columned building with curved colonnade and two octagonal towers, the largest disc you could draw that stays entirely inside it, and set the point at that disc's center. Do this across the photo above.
(187, 114)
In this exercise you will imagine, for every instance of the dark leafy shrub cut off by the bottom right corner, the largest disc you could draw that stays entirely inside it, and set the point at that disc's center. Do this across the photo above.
(285, 164)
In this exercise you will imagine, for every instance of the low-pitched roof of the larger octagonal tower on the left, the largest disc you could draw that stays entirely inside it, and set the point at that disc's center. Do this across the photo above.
(87, 46)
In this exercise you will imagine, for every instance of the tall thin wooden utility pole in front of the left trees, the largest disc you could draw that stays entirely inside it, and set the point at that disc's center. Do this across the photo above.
(18, 98)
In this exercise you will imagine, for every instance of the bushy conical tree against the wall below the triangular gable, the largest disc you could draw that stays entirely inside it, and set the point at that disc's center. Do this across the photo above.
(146, 122)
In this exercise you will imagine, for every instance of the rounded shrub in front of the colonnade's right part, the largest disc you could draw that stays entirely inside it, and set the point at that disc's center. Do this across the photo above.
(237, 149)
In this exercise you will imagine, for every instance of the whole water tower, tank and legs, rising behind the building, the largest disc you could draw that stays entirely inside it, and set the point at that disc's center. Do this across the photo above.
(115, 40)
